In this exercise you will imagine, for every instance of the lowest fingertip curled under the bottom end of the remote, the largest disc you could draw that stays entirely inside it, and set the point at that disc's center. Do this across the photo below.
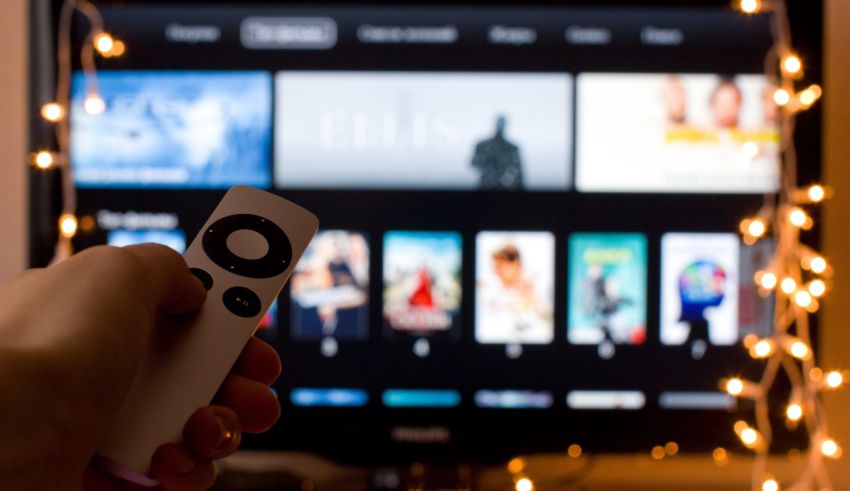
(178, 470)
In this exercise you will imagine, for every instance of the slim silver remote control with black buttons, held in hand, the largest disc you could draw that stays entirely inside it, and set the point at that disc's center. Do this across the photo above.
(243, 255)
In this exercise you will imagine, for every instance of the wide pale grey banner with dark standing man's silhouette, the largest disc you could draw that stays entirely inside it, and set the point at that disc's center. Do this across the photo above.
(423, 130)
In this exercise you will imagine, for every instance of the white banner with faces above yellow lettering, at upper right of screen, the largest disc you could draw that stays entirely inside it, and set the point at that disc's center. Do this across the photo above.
(670, 133)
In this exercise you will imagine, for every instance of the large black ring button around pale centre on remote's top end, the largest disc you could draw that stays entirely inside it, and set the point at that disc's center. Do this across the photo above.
(278, 257)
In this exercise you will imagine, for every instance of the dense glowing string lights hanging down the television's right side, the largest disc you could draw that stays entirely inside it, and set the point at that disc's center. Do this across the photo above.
(798, 277)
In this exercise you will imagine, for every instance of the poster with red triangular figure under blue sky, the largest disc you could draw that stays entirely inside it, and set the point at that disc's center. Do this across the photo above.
(422, 283)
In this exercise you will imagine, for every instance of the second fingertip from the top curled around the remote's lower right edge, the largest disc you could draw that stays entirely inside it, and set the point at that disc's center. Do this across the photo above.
(257, 407)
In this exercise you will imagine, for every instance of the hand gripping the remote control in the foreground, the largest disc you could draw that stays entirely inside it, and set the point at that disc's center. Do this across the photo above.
(71, 339)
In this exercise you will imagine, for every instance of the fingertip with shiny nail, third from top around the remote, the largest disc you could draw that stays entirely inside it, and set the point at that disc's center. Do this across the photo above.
(213, 432)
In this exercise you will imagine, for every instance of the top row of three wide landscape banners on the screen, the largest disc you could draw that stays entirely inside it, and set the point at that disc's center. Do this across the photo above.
(427, 130)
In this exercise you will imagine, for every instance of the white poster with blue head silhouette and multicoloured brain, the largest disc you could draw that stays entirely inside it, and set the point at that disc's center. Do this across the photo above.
(699, 289)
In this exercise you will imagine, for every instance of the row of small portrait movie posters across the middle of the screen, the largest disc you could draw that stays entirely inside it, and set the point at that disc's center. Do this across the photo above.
(707, 292)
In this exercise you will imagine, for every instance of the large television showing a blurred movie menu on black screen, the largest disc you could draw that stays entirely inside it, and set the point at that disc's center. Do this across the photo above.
(529, 212)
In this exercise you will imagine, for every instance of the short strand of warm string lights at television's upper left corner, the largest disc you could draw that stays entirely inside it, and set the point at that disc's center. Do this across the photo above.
(99, 42)
